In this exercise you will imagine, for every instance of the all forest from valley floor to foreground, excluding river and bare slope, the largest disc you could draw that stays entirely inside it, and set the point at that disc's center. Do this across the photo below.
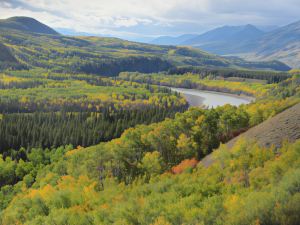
(70, 158)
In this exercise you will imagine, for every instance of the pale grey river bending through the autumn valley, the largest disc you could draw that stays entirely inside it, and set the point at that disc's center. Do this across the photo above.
(212, 99)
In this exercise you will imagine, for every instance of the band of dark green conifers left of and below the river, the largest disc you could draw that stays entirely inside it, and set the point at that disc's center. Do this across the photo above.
(53, 129)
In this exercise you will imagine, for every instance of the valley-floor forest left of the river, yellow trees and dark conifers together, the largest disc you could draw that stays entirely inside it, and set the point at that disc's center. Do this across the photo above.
(41, 109)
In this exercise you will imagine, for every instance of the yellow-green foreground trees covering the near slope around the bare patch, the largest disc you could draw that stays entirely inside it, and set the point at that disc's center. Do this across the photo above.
(151, 175)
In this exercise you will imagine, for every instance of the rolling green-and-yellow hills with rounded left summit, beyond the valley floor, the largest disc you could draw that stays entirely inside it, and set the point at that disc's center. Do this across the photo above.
(27, 43)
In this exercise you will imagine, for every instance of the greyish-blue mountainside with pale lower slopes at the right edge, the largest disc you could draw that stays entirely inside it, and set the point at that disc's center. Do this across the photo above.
(281, 44)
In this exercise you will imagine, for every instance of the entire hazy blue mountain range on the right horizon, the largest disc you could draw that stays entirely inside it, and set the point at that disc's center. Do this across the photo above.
(248, 42)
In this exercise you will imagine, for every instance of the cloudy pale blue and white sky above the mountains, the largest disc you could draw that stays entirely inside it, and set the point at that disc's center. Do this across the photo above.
(147, 19)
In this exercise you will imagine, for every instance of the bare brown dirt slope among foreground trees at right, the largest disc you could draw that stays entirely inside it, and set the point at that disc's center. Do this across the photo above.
(284, 126)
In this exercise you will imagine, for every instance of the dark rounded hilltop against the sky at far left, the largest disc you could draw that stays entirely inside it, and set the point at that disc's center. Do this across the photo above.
(26, 24)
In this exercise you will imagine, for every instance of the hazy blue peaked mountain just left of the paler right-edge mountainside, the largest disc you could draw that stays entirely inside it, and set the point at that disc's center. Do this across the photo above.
(226, 39)
